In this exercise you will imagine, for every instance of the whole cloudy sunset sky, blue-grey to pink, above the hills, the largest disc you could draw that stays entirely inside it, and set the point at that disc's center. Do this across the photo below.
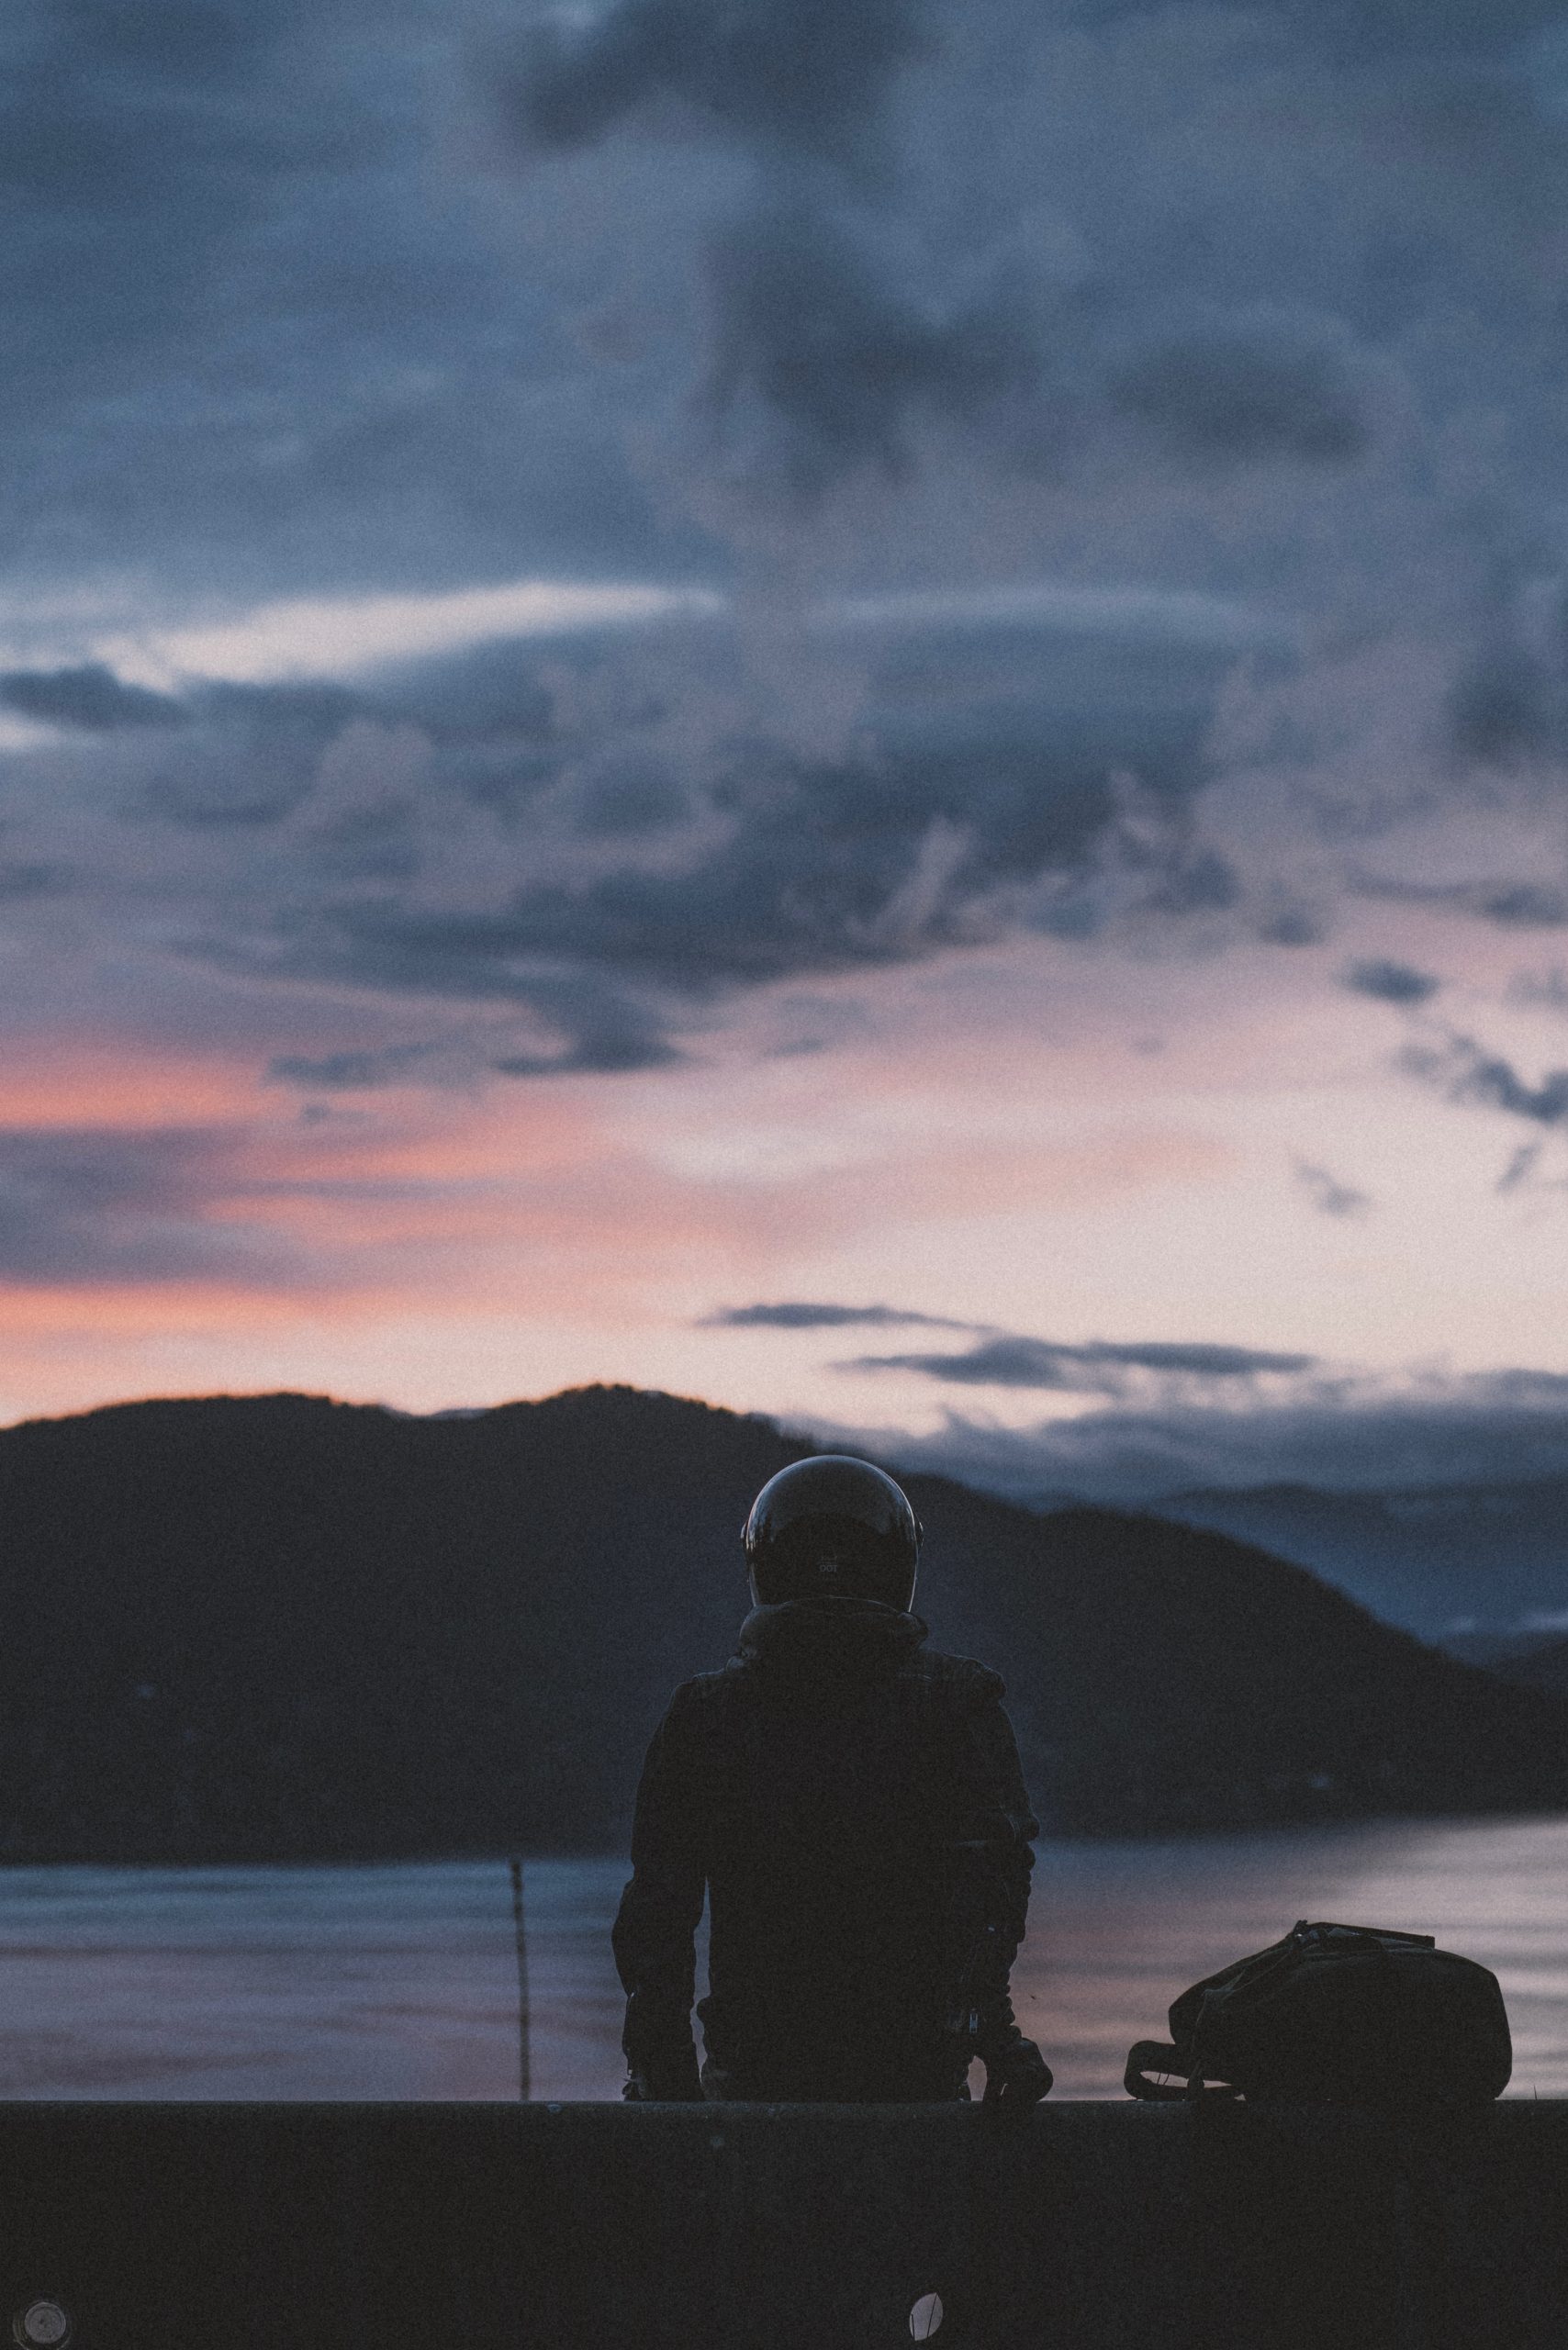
(852, 706)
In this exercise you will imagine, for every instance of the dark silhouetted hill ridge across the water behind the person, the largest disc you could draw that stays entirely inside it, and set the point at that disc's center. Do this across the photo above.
(288, 1627)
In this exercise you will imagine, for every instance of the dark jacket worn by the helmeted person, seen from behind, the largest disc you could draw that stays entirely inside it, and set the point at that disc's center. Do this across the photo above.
(855, 1808)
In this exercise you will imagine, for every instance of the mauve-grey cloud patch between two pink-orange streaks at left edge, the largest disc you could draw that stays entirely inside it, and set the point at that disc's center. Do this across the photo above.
(107, 1204)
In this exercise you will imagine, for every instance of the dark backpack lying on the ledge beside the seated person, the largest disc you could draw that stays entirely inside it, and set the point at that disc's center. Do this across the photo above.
(1343, 2015)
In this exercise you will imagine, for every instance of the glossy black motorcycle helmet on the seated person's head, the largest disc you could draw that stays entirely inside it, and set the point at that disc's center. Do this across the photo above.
(833, 1526)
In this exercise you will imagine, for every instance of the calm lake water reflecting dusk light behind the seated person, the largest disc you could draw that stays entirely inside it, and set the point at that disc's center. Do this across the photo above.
(401, 1982)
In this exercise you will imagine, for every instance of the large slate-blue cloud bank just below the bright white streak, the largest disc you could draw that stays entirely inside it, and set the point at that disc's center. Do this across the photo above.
(617, 831)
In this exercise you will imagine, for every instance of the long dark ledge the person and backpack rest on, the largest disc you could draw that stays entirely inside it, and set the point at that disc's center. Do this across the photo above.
(685, 2227)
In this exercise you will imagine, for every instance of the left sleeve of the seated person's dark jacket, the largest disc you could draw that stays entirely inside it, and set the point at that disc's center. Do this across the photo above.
(664, 1902)
